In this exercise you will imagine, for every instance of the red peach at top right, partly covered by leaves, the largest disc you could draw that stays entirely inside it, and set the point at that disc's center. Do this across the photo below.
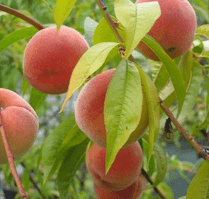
(174, 29)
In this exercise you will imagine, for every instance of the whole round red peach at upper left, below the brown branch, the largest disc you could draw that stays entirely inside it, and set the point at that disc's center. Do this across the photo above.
(50, 58)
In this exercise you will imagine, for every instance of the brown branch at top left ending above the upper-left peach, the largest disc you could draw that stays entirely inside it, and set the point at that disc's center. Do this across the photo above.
(21, 16)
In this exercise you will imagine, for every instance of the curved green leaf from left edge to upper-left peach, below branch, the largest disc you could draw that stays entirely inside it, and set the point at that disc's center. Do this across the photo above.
(16, 36)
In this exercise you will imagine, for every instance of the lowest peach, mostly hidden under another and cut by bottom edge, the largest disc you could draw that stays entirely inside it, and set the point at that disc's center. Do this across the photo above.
(134, 191)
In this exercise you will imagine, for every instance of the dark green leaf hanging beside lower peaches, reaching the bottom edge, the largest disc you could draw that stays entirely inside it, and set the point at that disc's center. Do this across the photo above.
(71, 163)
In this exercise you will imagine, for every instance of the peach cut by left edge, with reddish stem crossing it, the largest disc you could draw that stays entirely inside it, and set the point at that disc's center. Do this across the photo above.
(20, 124)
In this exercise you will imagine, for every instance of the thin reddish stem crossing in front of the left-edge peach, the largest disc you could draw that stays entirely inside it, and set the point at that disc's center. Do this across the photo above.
(10, 158)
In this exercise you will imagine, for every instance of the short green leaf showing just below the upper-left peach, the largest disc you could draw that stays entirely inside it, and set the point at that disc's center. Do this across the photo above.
(37, 98)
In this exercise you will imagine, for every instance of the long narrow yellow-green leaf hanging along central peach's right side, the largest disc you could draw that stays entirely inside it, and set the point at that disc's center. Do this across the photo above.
(153, 109)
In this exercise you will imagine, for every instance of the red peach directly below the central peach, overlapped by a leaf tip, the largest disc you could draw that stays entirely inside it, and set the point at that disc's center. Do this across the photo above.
(124, 170)
